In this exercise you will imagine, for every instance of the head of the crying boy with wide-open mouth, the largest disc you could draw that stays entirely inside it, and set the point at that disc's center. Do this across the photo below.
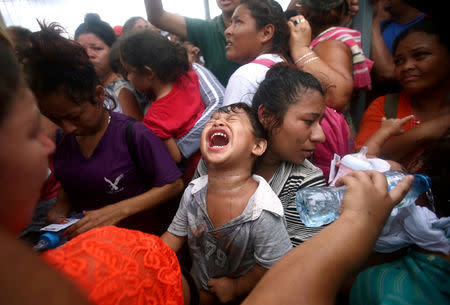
(233, 136)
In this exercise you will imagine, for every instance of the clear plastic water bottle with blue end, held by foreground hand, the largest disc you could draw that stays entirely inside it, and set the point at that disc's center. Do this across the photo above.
(318, 206)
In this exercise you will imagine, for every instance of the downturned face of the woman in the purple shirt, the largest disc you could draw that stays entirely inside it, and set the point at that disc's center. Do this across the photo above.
(81, 119)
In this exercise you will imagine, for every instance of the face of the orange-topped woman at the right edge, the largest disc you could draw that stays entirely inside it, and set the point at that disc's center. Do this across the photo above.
(421, 63)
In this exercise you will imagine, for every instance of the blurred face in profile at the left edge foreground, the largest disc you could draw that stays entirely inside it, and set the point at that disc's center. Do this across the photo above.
(23, 161)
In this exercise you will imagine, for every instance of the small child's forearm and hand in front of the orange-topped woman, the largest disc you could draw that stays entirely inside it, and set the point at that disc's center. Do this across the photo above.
(389, 128)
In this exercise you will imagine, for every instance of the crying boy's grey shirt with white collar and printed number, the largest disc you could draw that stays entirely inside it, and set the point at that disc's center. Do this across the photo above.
(257, 236)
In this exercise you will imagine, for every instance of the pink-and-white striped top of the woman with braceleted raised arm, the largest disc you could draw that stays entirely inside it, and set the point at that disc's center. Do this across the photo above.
(352, 38)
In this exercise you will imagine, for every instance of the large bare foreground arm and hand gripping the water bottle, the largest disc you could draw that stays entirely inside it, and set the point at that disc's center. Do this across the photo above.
(313, 272)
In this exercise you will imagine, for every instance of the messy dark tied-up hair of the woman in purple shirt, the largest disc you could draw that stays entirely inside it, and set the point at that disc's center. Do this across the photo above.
(56, 63)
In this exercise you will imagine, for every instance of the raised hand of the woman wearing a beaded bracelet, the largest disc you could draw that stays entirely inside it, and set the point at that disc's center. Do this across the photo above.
(300, 34)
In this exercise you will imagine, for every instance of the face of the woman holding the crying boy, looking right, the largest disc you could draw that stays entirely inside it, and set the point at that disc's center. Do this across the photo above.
(296, 138)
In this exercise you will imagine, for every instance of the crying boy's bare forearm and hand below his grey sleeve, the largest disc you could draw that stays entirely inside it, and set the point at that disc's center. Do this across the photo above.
(228, 289)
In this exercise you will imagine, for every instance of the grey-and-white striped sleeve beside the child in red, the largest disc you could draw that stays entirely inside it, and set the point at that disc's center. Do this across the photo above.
(212, 93)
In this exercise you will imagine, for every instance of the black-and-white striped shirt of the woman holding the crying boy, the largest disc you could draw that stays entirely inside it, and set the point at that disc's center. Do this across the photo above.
(287, 180)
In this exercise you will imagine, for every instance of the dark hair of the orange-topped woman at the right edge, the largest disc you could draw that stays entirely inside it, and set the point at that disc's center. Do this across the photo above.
(428, 26)
